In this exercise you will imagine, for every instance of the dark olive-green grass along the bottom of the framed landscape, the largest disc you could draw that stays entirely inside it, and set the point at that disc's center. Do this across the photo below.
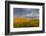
(33, 23)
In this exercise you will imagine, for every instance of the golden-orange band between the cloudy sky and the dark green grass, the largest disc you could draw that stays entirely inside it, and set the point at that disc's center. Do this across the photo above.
(25, 19)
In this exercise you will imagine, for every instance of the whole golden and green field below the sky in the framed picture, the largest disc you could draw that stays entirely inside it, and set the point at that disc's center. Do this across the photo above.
(23, 22)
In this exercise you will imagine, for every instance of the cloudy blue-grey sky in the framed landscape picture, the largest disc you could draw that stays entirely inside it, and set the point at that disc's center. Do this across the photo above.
(25, 12)
